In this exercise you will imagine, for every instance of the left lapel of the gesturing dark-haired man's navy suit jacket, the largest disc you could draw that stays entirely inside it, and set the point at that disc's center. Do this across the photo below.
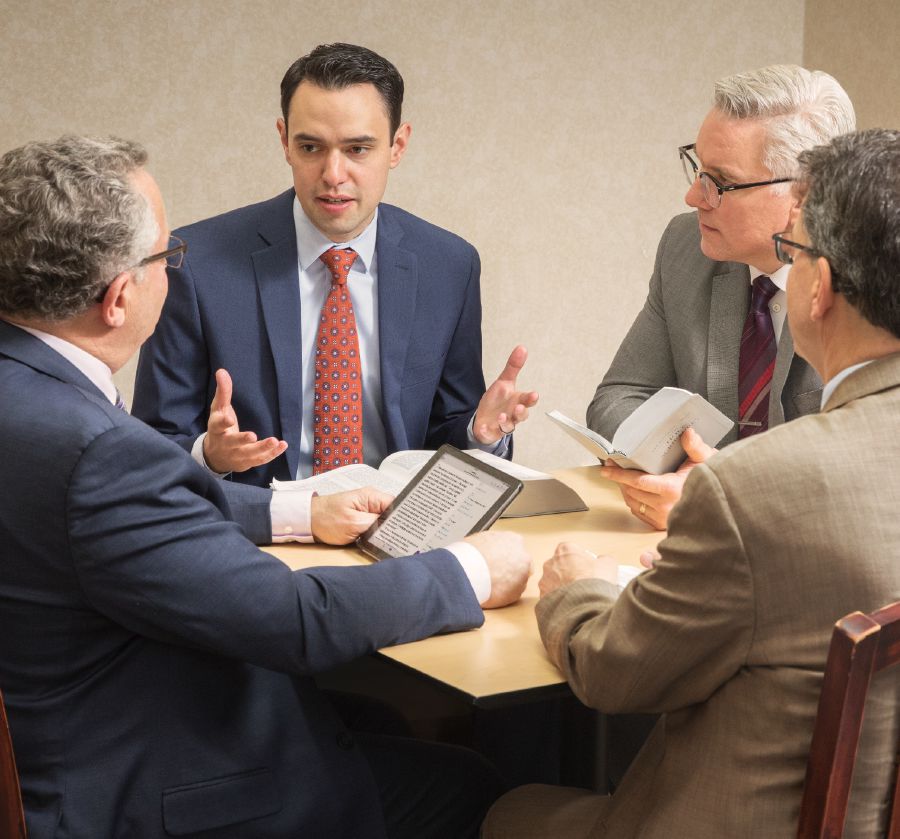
(278, 282)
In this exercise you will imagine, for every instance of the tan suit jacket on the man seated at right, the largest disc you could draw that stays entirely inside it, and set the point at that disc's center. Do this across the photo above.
(775, 538)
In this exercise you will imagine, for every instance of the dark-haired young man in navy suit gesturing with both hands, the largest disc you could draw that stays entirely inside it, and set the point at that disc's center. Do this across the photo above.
(245, 305)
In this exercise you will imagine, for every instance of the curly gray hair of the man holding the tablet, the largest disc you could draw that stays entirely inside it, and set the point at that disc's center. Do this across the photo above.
(70, 221)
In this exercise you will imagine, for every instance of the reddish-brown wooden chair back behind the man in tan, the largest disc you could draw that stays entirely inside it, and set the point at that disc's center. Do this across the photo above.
(861, 645)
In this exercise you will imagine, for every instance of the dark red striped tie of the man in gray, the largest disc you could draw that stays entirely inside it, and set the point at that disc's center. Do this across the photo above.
(757, 360)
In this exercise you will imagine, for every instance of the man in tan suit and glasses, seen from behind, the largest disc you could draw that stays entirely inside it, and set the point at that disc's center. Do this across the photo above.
(774, 539)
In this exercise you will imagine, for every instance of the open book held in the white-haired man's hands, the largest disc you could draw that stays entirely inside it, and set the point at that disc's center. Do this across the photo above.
(649, 438)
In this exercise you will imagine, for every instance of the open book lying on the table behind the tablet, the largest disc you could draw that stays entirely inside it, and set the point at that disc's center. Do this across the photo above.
(541, 493)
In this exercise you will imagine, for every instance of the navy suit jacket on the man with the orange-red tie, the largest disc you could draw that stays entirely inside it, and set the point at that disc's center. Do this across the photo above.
(235, 303)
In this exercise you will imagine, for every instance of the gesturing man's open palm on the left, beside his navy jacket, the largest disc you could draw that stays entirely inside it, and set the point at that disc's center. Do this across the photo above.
(226, 448)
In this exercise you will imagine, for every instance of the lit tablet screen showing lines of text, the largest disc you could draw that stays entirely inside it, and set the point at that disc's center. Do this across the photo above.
(442, 508)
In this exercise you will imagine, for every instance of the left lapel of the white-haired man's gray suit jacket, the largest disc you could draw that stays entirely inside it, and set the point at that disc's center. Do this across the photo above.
(729, 304)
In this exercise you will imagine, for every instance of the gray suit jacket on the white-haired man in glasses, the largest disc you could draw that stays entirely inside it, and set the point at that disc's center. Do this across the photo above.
(689, 335)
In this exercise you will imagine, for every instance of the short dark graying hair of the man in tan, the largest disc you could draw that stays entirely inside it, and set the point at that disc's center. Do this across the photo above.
(851, 212)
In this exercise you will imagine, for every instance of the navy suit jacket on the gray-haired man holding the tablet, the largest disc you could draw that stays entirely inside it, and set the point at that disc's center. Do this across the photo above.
(156, 666)
